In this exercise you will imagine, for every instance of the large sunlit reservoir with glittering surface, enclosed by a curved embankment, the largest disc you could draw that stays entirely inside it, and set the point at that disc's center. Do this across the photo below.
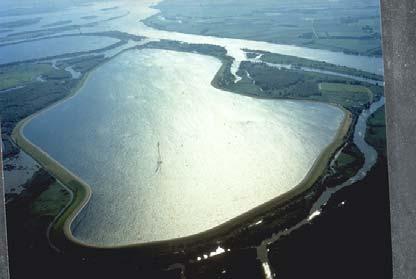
(167, 155)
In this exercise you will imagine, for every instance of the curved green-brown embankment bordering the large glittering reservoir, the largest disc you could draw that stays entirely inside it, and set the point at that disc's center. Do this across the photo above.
(66, 241)
